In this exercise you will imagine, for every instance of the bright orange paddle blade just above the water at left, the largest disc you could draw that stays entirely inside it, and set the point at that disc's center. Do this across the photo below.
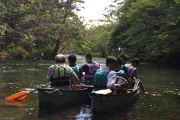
(18, 96)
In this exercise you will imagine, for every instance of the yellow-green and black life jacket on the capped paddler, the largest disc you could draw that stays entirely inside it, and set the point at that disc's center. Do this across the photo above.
(60, 76)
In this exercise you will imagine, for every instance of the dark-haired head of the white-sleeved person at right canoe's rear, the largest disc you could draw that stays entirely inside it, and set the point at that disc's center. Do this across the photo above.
(111, 62)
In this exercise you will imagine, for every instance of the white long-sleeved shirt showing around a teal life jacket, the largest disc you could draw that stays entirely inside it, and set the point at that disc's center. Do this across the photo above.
(111, 77)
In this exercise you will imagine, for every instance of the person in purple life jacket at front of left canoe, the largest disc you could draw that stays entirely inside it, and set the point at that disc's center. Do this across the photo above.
(88, 68)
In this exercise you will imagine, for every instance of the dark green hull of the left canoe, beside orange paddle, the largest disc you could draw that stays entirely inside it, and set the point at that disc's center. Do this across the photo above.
(49, 97)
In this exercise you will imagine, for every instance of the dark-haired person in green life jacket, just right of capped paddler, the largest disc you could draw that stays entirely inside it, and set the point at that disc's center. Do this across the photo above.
(72, 63)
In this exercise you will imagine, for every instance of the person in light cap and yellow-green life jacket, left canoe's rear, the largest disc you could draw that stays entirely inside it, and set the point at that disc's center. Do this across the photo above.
(60, 74)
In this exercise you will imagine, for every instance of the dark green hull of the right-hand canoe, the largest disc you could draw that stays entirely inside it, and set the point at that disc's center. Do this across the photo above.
(107, 102)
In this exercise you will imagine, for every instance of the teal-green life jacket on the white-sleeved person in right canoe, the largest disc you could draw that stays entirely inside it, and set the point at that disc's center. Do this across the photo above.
(100, 80)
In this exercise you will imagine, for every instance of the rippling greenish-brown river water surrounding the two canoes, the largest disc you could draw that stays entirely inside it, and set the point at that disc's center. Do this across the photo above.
(161, 102)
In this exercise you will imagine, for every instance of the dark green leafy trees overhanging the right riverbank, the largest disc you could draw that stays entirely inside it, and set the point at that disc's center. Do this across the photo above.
(149, 29)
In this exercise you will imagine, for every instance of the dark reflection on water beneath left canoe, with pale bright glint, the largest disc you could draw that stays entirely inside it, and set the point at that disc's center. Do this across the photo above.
(75, 112)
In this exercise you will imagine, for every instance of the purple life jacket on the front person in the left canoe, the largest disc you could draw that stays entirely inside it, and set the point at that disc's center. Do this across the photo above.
(91, 66)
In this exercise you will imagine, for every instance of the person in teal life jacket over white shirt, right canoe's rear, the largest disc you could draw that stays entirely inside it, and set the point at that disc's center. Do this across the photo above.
(106, 77)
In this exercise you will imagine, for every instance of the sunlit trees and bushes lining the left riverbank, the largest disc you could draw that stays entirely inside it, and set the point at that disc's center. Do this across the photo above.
(30, 28)
